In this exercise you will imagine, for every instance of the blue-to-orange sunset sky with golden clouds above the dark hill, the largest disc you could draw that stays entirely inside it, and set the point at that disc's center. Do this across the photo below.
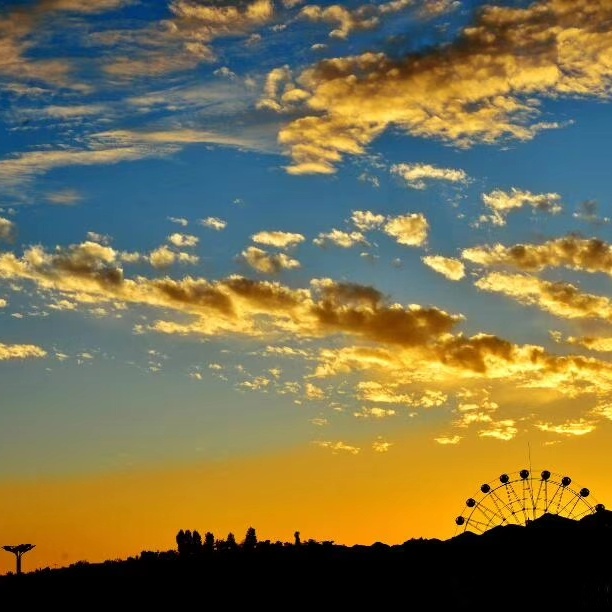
(302, 267)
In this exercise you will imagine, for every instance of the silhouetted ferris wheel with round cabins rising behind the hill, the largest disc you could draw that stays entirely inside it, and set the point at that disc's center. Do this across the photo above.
(521, 497)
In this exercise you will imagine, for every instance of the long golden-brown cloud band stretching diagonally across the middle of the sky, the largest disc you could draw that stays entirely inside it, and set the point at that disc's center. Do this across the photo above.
(410, 353)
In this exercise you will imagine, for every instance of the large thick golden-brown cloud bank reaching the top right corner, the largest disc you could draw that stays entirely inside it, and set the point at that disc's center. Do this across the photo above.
(482, 88)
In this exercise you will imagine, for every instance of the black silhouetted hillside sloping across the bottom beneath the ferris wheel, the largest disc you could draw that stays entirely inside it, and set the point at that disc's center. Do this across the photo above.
(551, 564)
